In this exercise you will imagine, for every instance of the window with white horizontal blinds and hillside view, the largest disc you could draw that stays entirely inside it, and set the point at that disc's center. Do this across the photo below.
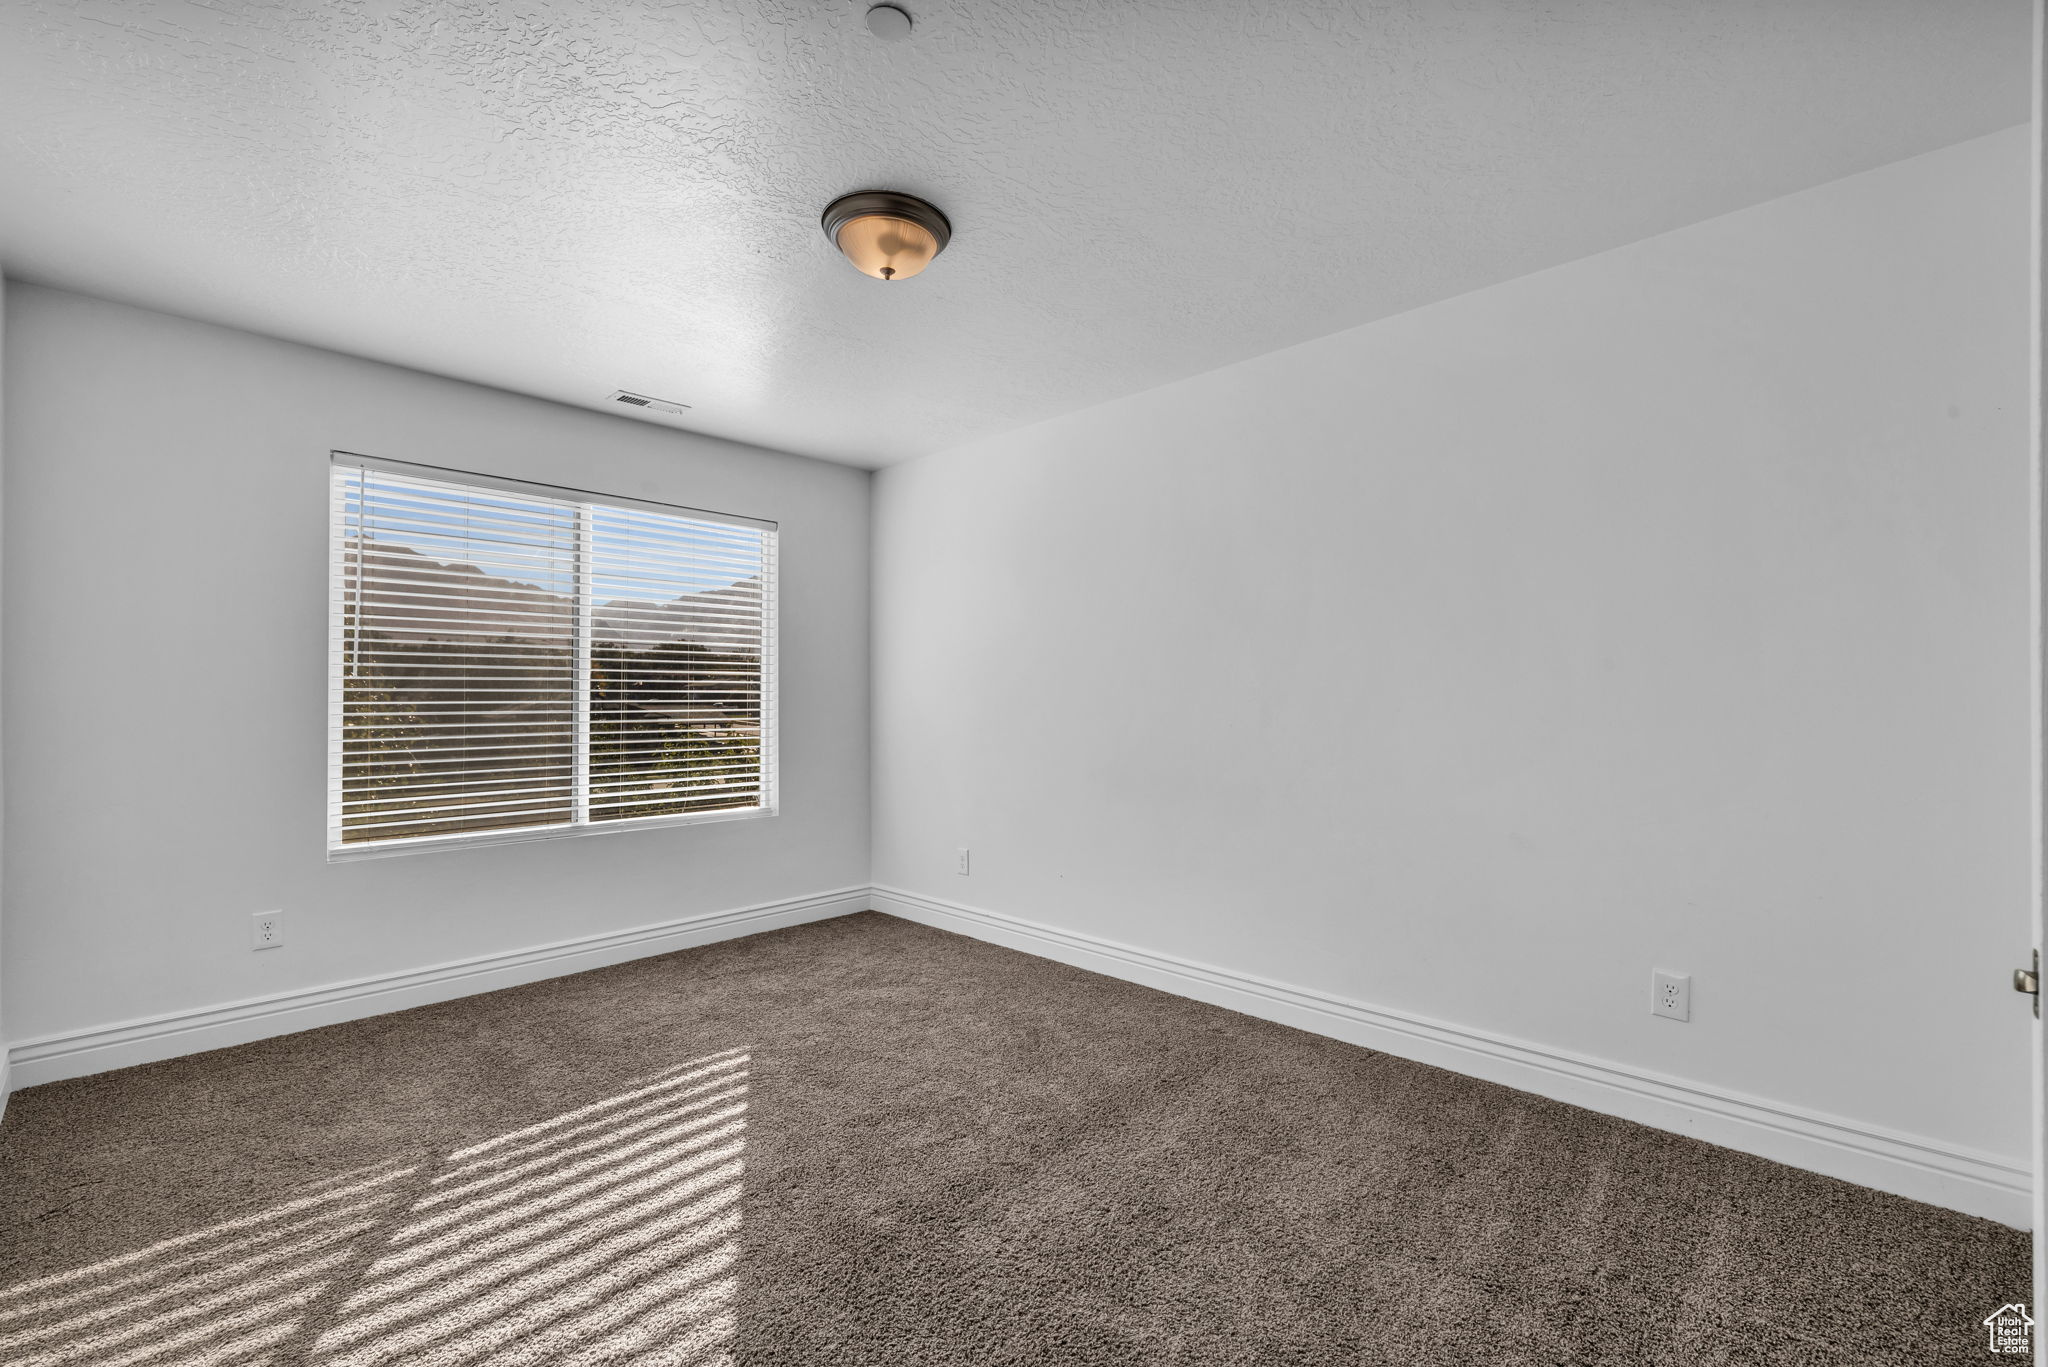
(515, 661)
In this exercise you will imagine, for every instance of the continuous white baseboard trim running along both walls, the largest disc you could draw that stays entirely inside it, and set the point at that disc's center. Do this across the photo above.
(1906, 1165)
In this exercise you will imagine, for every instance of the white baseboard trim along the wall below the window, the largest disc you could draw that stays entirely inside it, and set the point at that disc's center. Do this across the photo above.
(216, 1028)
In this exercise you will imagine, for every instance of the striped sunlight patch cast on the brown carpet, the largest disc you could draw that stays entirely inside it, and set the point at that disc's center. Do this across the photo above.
(603, 1235)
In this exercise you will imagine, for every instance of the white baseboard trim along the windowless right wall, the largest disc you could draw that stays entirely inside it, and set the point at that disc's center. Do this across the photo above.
(1922, 1169)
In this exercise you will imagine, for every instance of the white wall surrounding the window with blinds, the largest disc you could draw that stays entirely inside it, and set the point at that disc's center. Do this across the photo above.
(167, 651)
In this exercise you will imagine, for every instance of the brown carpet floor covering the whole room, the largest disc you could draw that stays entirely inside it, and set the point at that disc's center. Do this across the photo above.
(871, 1143)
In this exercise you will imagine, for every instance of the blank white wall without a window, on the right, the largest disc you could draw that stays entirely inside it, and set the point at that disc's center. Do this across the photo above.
(1662, 610)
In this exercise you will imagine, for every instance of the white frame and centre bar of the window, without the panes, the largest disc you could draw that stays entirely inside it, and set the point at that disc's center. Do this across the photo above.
(581, 825)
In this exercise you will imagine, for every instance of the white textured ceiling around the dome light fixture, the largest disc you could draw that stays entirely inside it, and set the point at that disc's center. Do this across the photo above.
(570, 200)
